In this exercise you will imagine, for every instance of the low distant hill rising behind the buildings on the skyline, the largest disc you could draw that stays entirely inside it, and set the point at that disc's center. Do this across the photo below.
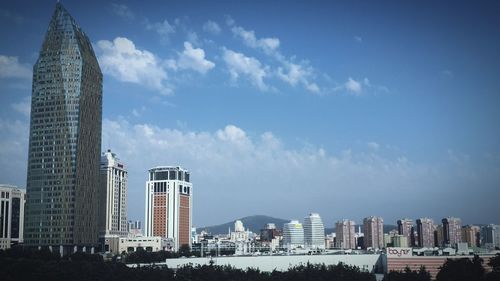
(254, 223)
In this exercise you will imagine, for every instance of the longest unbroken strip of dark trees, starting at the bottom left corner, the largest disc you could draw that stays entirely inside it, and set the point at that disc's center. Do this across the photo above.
(23, 264)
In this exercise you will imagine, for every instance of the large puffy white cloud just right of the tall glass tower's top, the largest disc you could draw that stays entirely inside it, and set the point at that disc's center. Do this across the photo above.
(122, 60)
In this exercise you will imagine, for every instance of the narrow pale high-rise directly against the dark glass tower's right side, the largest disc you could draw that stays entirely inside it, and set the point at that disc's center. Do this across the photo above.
(113, 196)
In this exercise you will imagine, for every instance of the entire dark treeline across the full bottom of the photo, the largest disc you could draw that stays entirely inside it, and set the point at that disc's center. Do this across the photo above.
(20, 264)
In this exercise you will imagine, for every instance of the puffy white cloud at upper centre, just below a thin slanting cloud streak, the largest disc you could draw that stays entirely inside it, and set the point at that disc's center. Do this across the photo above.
(239, 64)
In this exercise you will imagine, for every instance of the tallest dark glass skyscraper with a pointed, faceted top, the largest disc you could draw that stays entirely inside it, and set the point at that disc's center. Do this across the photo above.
(64, 141)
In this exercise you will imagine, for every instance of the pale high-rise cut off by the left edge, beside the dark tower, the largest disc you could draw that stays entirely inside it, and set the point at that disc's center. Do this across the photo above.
(12, 201)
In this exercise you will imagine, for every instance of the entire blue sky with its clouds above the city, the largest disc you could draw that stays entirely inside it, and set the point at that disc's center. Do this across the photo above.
(345, 108)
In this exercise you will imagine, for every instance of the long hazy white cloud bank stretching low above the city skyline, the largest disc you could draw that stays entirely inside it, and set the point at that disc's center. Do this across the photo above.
(251, 172)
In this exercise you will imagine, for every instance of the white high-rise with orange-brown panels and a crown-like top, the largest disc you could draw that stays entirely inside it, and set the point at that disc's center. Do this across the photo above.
(169, 204)
